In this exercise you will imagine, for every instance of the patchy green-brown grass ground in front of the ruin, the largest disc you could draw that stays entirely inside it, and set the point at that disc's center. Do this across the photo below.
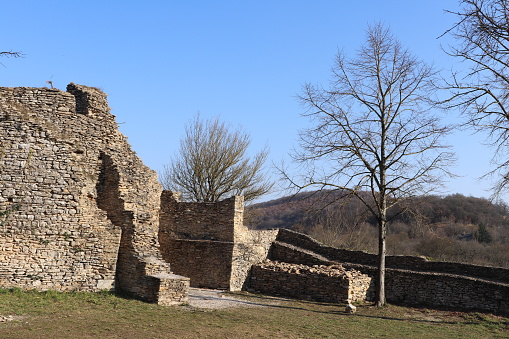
(104, 315)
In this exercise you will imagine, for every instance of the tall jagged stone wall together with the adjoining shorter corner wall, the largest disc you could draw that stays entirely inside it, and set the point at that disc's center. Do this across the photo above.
(86, 214)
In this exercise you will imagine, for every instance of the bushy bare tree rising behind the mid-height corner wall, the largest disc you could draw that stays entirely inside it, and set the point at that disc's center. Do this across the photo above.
(213, 164)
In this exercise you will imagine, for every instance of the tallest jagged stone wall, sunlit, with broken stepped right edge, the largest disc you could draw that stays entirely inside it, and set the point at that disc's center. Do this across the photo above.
(87, 207)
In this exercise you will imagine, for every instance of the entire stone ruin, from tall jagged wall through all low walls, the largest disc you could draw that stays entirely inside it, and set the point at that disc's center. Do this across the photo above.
(80, 211)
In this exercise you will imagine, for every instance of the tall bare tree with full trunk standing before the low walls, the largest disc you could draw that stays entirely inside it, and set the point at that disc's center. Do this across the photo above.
(375, 135)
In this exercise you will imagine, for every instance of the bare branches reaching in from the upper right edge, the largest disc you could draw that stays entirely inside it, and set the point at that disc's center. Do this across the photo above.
(481, 92)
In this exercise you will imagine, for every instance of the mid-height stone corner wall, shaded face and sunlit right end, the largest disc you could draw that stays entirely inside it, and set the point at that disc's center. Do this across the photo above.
(209, 243)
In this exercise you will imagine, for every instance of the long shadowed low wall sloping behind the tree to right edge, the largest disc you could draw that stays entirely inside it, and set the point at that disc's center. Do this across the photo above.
(465, 287)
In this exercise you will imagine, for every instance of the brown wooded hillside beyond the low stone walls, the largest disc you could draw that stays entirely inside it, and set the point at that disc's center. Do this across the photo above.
(453, 227)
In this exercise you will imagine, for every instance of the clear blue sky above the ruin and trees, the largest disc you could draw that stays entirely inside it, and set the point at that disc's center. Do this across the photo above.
(161, 62)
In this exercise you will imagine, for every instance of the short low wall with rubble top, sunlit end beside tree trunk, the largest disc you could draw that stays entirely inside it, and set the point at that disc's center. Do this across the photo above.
(320, 283)
